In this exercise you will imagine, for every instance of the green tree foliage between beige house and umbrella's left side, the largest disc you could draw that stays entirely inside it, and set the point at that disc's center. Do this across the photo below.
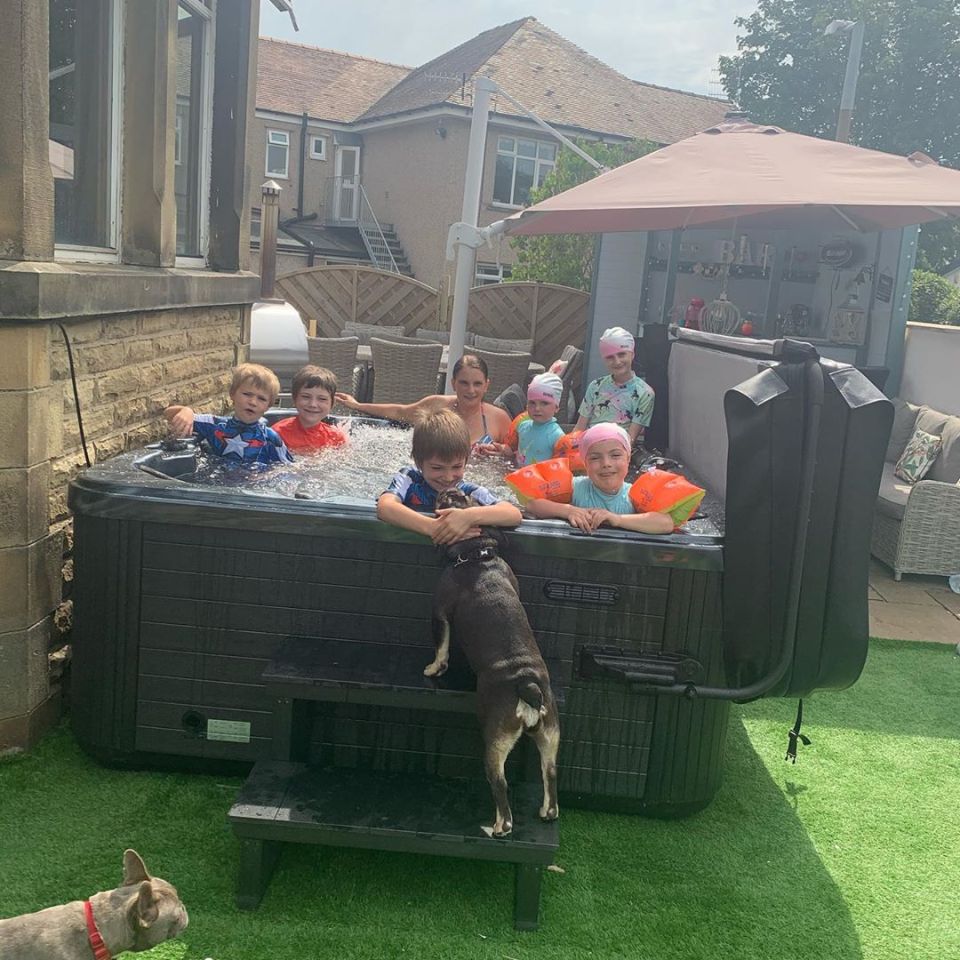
(568, 258)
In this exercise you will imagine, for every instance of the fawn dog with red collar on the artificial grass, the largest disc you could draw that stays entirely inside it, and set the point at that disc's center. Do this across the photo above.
(136, 916)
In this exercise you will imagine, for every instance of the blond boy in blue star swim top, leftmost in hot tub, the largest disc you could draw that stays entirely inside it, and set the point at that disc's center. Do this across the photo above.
(244, 437)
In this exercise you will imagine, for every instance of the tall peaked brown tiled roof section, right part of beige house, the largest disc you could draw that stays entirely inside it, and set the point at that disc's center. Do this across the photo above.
(558, 81)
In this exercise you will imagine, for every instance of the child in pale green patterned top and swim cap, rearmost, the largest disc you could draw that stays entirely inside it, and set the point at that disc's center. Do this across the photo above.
(621, 396)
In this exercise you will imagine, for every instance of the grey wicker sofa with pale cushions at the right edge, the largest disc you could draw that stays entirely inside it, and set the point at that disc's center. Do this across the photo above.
(916, 528)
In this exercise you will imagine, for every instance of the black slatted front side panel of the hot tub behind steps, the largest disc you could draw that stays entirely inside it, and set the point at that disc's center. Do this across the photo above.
(182, 619)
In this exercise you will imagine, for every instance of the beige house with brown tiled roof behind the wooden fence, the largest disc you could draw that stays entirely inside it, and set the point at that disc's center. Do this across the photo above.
(347, 137)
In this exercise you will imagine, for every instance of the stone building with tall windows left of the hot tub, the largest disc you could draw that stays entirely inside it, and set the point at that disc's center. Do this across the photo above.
(124, 231)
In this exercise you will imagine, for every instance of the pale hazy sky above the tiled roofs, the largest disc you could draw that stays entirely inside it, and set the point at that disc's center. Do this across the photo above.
(675, 45)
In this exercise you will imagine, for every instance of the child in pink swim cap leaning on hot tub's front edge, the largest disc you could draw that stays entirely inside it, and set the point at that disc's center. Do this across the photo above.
(602, 497)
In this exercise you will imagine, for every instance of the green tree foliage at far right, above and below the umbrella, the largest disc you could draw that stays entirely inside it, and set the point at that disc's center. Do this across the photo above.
(908, 93)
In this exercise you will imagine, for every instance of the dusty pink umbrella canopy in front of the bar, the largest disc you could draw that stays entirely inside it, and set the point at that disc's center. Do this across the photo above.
(753, 174)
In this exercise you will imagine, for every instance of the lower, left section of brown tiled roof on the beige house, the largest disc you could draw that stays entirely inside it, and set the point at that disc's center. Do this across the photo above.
(328, 85)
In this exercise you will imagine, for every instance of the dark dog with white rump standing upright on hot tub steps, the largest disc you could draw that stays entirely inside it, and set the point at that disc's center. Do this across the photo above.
(478, 601)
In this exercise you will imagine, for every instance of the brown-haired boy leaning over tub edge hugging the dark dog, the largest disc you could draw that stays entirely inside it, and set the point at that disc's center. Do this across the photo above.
(441, 446)
